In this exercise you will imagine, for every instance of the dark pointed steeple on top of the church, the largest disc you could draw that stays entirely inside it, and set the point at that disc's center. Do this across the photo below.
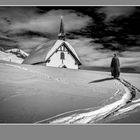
(61, 34)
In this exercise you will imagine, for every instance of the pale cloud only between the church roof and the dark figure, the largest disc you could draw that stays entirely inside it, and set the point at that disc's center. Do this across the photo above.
(88, 52)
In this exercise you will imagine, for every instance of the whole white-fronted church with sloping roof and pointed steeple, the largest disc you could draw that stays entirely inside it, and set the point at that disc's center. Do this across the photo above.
(55, 53)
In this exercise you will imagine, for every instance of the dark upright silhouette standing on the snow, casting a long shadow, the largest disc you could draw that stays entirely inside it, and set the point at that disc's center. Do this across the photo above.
(115, 66)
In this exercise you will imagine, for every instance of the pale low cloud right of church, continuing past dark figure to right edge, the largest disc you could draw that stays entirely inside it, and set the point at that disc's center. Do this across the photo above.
(91, 55)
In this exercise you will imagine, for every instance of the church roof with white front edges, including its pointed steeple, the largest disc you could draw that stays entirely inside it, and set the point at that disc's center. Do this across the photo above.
(44, 51)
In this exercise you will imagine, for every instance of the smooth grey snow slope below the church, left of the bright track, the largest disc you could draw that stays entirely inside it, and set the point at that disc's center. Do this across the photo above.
(32, 93)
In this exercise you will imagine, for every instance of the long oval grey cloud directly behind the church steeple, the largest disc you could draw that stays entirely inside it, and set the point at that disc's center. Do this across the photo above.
(50, 21)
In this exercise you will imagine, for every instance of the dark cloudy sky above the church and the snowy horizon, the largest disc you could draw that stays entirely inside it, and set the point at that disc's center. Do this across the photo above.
(95, 32)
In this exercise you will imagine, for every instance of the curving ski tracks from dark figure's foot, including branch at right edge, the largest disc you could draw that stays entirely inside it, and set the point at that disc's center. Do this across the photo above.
(94, 116)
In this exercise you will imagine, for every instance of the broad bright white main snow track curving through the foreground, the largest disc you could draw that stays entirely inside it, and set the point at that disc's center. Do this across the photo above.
(92, 116)
